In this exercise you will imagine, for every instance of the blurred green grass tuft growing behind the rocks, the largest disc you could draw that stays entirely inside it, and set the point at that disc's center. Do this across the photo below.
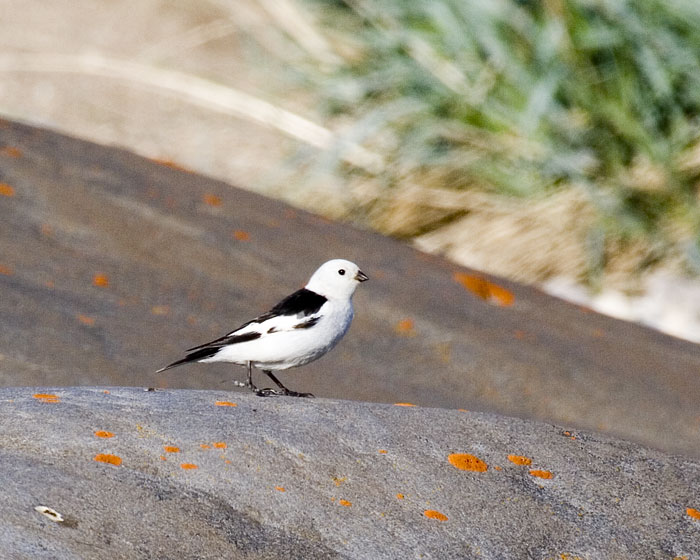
(525, 97)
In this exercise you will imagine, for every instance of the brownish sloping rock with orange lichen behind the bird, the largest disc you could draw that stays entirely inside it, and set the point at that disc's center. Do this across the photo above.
(111, 265)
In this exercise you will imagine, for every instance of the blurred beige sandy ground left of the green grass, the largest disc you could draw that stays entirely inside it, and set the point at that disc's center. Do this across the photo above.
(125, 74)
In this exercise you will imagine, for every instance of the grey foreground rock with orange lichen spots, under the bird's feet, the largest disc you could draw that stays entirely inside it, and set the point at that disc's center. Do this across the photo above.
(213, 474)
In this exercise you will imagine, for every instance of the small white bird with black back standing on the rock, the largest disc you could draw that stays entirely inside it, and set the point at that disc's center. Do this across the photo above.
(300, 329)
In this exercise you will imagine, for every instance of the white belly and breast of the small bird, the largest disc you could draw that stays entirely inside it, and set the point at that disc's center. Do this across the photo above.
(290, 348)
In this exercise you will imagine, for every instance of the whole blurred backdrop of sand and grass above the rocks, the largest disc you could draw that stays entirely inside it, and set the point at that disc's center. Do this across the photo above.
(556, 142)
